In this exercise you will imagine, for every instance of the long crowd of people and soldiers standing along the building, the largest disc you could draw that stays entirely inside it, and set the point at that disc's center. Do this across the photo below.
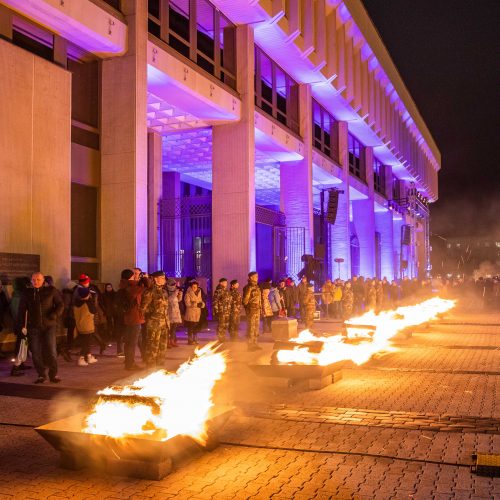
(147, 311)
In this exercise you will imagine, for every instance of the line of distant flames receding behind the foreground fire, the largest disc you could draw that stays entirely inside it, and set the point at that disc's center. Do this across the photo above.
(372, 339)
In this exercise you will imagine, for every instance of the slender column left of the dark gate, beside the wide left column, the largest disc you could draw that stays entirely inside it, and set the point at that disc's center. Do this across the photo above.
(155, 184)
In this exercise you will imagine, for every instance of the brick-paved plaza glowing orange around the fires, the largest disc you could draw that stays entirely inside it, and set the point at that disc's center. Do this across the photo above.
(403, 425)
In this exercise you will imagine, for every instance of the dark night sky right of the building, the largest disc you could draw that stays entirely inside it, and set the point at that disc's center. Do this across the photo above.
(448, 54)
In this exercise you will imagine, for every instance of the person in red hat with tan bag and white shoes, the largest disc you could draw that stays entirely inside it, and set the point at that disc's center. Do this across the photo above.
(84, 310)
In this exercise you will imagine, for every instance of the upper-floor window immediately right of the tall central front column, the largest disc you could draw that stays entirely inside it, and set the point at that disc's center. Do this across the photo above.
(276, 93)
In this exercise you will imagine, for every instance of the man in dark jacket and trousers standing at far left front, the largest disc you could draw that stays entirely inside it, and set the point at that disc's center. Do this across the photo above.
(41, 307)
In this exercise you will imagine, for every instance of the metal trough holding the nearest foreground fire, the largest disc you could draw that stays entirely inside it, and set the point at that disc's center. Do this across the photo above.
(133, 456)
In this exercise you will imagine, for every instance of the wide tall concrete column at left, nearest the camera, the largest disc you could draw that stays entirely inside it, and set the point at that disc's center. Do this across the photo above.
(124, 151)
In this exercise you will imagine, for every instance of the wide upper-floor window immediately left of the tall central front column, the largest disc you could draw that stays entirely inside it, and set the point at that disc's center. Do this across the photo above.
(198, 31)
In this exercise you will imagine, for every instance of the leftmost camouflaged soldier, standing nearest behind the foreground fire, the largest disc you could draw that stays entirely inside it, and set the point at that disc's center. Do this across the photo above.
(154, 305)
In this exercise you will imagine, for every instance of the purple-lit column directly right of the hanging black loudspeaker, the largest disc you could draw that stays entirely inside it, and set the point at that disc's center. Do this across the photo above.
(340, 232)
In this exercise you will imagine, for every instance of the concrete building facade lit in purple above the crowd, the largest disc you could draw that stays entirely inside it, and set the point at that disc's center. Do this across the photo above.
(209, 138)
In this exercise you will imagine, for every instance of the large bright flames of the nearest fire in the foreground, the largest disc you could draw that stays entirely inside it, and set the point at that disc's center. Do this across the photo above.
(161, 405)
